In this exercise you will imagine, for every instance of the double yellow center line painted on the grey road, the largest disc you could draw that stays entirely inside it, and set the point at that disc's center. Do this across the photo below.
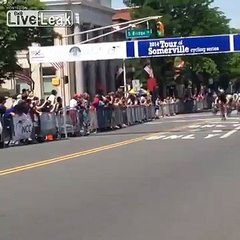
(42, 163)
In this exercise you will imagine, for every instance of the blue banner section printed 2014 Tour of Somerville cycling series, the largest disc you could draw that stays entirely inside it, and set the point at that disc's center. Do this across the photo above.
(180, 46)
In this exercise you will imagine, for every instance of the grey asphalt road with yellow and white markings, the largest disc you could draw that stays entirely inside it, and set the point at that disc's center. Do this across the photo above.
(172, 179)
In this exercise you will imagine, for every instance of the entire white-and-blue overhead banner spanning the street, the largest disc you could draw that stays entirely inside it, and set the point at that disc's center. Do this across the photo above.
(162, 47)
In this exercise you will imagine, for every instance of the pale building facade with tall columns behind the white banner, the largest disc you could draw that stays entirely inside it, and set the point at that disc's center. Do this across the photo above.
(82, 76)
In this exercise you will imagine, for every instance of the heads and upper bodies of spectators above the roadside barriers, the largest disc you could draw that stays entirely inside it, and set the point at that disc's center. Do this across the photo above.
(26, 102)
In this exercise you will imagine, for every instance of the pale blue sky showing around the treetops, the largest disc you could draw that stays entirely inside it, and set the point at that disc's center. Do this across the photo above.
(229, 7)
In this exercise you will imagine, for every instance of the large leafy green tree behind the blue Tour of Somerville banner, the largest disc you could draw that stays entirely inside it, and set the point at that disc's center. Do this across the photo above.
(185, 18)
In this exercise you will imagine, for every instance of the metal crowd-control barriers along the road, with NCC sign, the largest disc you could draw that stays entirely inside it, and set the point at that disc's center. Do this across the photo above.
(49, 126)
